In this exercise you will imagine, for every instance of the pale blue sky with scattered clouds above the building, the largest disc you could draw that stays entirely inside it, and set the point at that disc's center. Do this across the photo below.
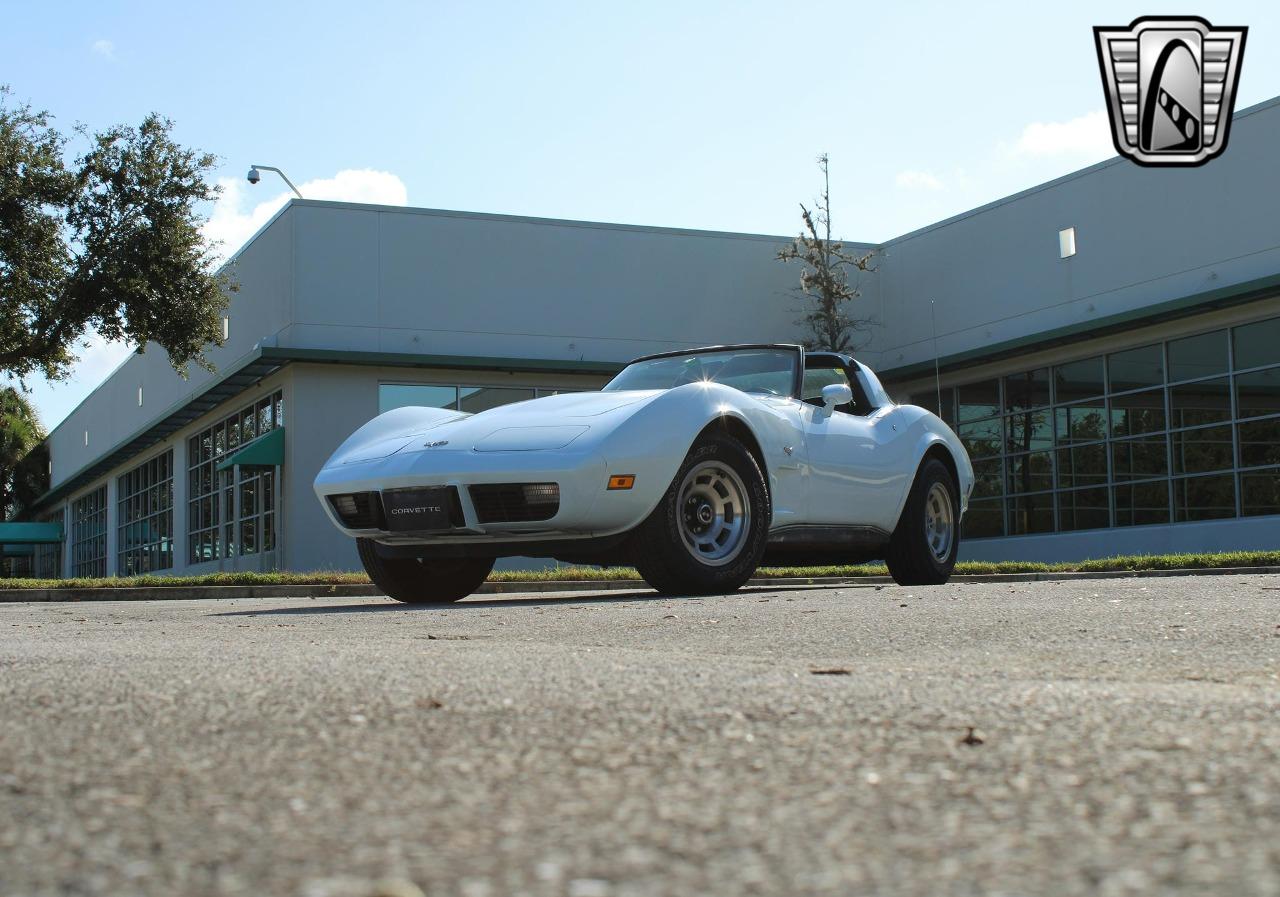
(698, 116)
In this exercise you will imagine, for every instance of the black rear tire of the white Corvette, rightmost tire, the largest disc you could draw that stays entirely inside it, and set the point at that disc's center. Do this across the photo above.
(912, 559)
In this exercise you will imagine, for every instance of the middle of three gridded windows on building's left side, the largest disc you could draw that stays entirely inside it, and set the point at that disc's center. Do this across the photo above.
(144, 518)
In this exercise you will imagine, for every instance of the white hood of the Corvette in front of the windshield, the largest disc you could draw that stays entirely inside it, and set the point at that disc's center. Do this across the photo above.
(550, 423)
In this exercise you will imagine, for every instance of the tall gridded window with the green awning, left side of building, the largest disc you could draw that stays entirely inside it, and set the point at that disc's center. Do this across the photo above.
(218, 527)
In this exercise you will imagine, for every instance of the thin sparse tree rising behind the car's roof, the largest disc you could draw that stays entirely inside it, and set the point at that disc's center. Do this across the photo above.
(825, 286)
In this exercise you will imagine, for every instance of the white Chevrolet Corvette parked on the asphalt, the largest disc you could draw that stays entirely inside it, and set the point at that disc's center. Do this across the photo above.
(694, 466)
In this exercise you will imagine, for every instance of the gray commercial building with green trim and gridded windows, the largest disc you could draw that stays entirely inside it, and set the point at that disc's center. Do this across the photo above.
(1108, 345)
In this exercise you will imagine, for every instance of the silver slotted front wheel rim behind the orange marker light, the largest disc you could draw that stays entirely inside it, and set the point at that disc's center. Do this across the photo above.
(715, 515)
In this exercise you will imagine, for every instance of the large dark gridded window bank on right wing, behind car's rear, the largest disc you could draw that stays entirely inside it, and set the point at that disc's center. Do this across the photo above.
(1183, 431)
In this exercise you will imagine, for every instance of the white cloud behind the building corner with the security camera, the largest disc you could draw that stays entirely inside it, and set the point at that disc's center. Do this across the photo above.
(236, 218)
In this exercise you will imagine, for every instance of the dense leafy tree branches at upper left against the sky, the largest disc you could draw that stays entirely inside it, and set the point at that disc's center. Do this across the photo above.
(109, 242)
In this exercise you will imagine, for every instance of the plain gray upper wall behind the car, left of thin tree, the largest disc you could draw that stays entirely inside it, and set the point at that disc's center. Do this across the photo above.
(386, 280)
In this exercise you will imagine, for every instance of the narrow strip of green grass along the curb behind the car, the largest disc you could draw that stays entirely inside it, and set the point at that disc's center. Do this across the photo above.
(1136, 564)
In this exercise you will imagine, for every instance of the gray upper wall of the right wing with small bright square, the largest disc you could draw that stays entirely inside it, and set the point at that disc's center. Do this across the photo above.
(1144, 236)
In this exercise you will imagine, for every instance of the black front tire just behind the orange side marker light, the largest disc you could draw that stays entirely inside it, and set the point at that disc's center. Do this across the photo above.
(660, 547)
